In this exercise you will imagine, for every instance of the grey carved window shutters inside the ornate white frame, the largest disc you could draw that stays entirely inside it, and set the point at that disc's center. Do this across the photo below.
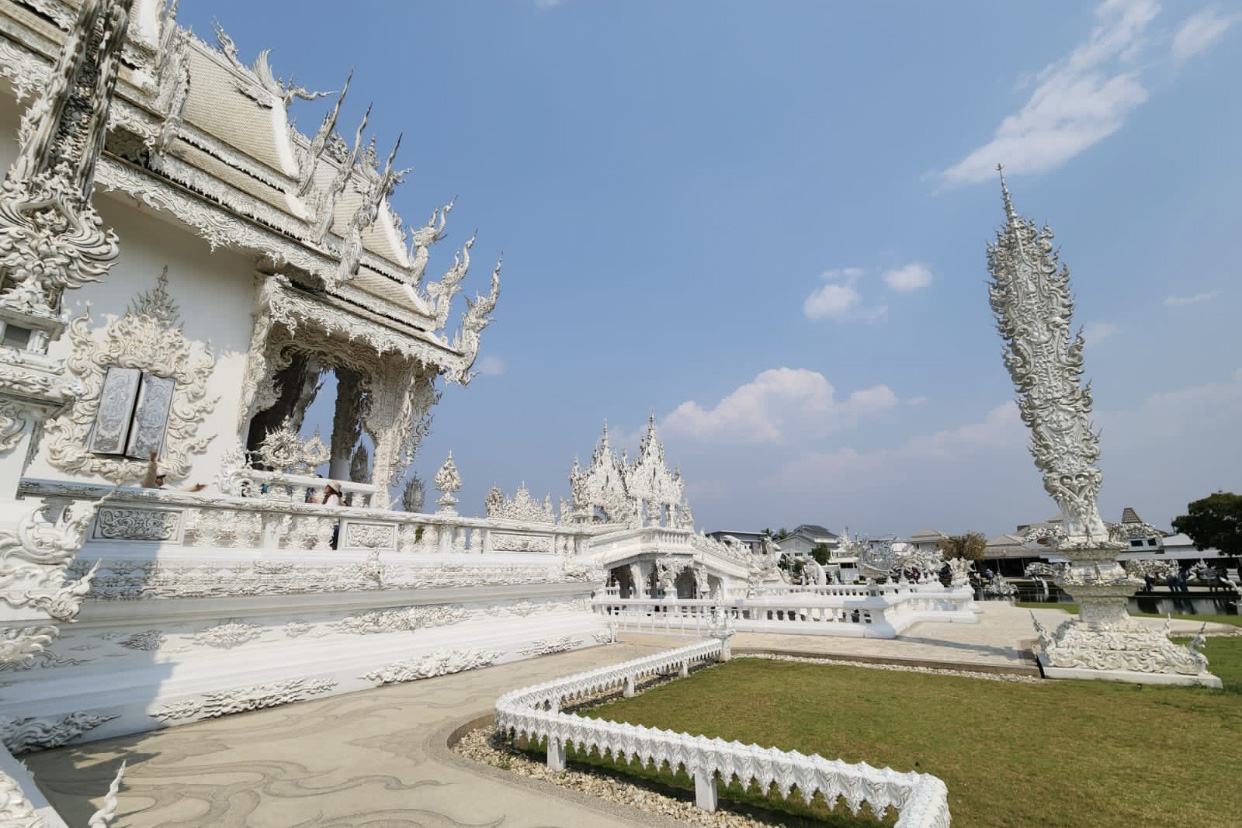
(134, 412)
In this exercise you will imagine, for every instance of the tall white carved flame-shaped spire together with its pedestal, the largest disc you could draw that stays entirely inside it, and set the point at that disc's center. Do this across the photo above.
(1030, 296)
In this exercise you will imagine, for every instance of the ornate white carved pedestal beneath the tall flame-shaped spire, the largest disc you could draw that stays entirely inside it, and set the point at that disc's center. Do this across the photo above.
(1105, 642)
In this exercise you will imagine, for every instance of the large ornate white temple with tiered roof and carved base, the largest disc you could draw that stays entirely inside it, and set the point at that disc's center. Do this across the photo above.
(179, 271)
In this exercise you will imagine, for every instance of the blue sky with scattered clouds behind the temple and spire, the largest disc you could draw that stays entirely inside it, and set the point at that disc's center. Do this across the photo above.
(766, 224)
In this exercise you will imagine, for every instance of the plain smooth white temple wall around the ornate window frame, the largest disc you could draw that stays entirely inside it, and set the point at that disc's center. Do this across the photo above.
(214, 294)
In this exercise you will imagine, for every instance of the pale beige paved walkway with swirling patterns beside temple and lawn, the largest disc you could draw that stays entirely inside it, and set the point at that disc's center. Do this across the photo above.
(378, 759)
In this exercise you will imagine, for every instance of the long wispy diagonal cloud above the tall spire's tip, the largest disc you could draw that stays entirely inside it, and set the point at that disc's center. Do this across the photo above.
(1079, 101)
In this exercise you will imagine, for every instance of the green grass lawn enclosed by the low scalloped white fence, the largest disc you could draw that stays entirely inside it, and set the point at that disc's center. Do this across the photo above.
(1043, 755)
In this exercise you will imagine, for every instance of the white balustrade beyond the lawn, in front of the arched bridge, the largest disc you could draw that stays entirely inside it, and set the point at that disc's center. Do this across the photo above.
(848, 611)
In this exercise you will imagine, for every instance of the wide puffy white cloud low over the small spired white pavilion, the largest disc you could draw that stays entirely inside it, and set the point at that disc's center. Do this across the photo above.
(776, 407)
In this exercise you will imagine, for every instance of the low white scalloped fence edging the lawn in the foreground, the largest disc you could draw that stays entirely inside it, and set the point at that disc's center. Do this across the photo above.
(535, 713)
